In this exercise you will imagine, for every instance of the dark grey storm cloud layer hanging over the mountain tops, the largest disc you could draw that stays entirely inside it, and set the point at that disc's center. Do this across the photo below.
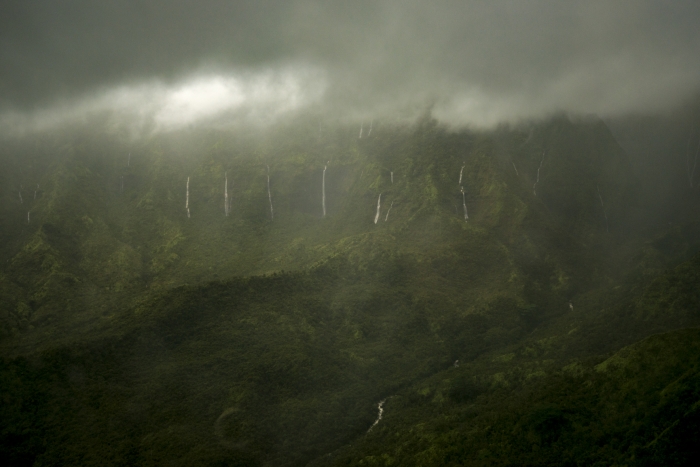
(476, 62)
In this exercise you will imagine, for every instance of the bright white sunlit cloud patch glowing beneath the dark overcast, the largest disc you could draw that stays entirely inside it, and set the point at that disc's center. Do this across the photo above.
(256, 98)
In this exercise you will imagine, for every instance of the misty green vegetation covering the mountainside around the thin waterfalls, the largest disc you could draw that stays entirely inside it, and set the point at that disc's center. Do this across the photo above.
(133, 334)
